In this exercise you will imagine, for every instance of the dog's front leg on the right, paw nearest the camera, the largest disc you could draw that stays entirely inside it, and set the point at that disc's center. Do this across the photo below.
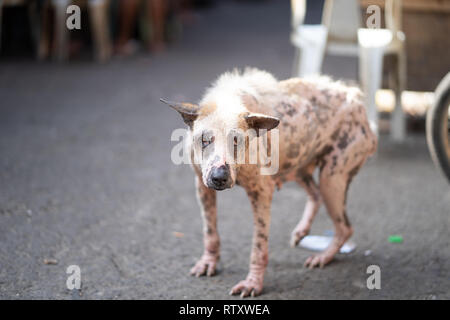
(261, 199)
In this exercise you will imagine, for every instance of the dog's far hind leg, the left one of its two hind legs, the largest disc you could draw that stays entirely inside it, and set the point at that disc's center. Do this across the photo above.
(305, 179)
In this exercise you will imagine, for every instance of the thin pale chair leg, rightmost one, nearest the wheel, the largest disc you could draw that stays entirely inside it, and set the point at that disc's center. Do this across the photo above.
(398, 125)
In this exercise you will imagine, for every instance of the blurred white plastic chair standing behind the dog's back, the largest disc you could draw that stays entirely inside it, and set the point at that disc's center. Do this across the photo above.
(340, 33)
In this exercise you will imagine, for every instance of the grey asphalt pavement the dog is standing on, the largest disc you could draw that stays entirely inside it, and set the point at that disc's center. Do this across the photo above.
(86, 179)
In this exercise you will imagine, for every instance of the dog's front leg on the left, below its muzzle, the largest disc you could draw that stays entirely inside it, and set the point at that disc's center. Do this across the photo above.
(207, 200)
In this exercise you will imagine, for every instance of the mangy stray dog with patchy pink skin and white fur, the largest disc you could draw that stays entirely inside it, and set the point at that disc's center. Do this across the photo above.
(321, 124)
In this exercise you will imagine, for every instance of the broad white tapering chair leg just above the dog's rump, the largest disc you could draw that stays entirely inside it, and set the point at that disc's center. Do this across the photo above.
(370, 72)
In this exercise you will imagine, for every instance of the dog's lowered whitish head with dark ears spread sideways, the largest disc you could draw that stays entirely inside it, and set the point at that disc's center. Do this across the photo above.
(220, 138)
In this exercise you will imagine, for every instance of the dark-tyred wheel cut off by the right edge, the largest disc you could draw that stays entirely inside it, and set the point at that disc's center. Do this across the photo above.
(438, 126)
